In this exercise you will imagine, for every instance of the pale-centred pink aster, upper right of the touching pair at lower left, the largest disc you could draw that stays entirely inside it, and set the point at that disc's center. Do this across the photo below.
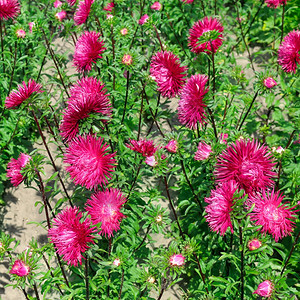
(104, 207)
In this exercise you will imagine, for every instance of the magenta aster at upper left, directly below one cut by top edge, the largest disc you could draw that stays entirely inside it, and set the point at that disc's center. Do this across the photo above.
(87, 50)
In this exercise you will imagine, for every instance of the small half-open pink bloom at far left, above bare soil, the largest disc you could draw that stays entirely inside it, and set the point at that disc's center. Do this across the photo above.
(14, 168)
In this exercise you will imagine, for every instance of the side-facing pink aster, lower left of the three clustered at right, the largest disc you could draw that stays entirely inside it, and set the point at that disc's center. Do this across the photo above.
(220, 205)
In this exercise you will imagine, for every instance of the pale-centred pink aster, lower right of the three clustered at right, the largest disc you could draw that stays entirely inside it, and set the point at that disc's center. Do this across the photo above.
(276, 218)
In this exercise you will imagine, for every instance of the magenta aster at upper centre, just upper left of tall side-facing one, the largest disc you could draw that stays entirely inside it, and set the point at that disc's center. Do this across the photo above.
(168, 73)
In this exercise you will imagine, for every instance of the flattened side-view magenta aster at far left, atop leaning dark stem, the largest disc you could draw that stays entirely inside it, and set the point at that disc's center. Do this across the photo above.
(17, 97)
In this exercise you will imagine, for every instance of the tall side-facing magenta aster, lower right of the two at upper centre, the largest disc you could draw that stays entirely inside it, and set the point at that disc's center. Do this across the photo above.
(191, 105)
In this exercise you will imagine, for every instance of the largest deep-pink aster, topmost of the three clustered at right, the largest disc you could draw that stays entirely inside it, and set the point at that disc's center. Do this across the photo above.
(248, 163)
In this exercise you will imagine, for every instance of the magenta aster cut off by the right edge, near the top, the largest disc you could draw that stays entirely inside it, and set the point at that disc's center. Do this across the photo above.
(288, 52)
